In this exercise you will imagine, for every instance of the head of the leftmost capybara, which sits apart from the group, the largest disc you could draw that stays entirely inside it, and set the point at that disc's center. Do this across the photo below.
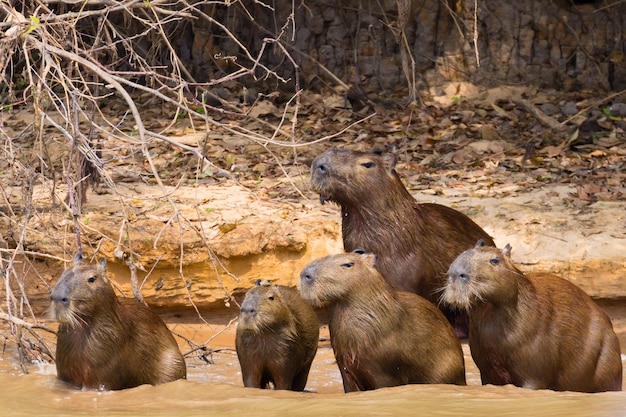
(82, 289)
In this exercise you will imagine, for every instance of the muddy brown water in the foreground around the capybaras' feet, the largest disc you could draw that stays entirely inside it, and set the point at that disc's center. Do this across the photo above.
(215, 388)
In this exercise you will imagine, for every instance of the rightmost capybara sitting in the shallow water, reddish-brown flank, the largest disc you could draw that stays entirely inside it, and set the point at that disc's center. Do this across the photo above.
(536, 330)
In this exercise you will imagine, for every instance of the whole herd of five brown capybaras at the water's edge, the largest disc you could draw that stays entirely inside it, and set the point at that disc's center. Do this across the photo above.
(414, 279)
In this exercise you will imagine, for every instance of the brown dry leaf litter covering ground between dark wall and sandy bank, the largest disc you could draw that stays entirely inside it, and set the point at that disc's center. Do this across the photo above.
(512, 142)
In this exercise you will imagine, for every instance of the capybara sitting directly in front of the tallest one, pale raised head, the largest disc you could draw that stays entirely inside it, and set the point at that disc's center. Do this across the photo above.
(380, 337)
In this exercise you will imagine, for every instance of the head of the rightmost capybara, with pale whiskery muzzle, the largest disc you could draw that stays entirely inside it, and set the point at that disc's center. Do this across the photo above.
(480, 274)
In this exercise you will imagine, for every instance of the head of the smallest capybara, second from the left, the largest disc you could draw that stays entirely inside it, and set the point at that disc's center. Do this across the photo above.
(264, 308)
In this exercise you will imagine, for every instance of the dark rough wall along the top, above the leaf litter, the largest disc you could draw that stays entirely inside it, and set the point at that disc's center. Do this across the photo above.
(563, 44)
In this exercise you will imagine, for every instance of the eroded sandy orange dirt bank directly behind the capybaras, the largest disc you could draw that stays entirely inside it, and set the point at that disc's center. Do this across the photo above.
(253, 236)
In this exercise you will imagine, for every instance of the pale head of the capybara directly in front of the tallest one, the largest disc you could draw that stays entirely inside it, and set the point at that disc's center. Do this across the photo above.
(334, 277)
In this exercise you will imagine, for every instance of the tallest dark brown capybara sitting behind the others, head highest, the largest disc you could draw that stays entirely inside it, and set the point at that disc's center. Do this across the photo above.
(415, 243)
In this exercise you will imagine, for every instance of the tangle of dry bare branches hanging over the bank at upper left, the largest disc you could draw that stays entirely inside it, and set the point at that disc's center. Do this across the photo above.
(70, 62)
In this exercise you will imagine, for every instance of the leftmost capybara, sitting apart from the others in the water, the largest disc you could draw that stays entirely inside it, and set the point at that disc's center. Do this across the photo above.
(106, 342)
